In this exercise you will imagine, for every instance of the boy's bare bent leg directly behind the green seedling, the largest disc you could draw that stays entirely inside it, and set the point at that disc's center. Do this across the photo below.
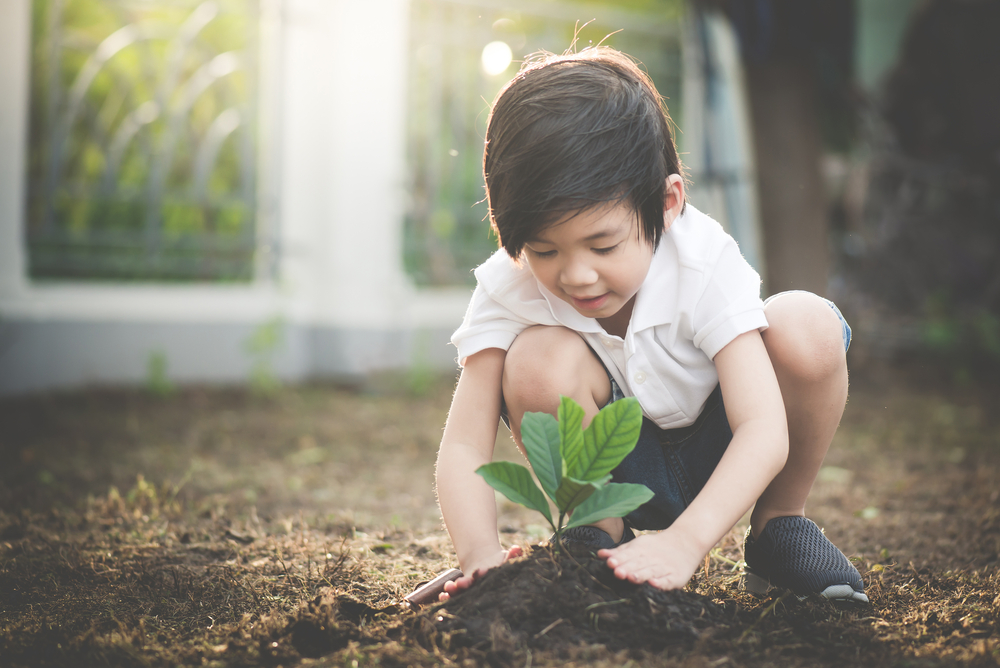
(544, 363)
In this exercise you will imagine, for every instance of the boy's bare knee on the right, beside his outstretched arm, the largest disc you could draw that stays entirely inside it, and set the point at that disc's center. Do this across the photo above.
(804, 338)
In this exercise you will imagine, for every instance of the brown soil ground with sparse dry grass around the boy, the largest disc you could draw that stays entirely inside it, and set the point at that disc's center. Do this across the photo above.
(227, 528)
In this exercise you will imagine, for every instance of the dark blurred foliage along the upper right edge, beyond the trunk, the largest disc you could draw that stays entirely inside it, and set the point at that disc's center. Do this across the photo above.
(927, 248)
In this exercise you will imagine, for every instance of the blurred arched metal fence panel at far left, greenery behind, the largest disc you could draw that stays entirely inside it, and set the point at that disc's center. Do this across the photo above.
(142, 147)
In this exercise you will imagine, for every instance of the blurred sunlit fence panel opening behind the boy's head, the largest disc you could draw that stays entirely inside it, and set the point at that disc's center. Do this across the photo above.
(446, 233)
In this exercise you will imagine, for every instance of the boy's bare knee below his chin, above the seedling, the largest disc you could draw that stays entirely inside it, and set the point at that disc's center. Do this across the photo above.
(545, 362)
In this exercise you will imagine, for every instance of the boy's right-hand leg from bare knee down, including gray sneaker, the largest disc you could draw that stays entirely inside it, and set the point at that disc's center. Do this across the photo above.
(805, 341)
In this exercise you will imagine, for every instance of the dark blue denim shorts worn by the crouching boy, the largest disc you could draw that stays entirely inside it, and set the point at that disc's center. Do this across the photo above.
(676, 463)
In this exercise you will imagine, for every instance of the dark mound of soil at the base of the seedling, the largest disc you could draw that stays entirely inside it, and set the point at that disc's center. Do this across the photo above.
(548, 601)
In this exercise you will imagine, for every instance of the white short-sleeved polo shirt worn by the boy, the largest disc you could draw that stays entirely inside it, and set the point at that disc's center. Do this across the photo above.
(699, 295)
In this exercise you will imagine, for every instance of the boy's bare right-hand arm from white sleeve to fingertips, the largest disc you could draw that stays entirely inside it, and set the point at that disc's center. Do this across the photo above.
(754, 457)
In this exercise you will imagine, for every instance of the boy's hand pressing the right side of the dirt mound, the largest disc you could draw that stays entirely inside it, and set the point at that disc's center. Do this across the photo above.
(666, 560)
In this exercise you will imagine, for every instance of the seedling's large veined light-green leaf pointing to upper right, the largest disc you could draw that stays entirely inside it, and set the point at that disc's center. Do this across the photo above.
(611, 435)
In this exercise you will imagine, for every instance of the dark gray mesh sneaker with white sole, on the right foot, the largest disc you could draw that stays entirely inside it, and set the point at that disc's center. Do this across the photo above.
(793, 553)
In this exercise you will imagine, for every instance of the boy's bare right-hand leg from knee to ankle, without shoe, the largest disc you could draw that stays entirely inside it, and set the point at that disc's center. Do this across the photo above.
(805, 342)
